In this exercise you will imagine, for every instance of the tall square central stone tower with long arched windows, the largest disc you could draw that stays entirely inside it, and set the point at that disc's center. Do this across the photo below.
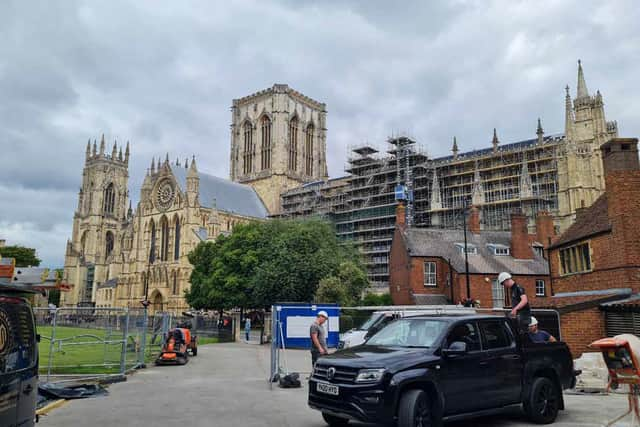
(278, 142)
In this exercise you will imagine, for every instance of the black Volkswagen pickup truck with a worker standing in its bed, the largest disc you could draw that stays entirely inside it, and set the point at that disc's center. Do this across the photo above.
(421, 371)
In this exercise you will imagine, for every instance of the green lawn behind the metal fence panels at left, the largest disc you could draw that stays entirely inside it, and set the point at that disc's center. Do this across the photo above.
(84, 351)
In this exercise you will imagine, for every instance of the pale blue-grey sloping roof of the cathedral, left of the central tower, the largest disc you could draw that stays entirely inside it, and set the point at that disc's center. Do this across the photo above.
(229, 196)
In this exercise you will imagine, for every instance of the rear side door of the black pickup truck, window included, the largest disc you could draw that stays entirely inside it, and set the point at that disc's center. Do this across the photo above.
(503, 362)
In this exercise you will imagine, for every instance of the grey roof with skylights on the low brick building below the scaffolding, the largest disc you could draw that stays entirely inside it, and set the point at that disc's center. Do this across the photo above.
(430, 242)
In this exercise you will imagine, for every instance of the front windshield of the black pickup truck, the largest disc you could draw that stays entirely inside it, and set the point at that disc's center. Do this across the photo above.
(409, 333)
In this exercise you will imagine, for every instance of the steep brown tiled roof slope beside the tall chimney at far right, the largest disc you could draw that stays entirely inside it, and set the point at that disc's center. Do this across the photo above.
(590, 221)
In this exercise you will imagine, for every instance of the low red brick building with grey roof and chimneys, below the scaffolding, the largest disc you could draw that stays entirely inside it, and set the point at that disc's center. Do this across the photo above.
(427, 265)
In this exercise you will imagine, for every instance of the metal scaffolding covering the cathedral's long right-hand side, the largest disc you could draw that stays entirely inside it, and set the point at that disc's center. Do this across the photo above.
(362, 205)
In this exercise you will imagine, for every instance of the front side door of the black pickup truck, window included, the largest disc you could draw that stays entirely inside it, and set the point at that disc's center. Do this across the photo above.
(463, 377)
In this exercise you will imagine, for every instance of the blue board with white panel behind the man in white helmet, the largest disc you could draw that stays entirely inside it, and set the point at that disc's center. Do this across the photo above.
(295, 319)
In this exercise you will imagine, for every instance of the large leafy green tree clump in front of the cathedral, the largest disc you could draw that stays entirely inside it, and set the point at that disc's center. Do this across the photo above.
(262, 263)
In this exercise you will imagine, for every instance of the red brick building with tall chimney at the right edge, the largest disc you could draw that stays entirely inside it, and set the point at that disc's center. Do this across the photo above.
(595, 264)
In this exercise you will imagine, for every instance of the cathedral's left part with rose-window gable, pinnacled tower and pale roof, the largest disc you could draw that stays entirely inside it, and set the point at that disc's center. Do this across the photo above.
(116, 257)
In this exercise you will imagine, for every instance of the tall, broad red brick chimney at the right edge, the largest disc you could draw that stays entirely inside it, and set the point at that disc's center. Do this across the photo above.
(622, 185)
